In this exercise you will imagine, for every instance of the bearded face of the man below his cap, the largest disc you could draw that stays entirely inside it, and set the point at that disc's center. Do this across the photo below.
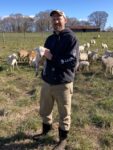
(58, 22)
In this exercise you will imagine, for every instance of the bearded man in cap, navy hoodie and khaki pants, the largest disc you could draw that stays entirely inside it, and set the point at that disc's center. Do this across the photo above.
(62, 57)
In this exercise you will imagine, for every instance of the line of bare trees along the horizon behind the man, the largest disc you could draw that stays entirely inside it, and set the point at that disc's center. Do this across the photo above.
(42, 22)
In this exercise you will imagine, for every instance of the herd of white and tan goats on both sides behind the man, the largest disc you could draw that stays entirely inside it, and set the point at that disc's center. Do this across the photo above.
(87, 56)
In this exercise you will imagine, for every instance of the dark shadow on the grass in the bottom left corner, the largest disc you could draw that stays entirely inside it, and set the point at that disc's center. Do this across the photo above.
(21, 141)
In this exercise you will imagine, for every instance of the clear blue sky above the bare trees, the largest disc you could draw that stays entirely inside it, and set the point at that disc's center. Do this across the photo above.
(79, 9)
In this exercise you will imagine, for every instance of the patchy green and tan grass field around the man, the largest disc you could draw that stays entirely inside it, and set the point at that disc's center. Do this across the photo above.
(92, 103)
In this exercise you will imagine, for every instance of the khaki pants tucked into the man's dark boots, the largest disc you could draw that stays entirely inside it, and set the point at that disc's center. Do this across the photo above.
(62, 94)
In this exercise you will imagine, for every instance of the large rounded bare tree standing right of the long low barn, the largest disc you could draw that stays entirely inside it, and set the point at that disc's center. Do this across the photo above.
(98, 18)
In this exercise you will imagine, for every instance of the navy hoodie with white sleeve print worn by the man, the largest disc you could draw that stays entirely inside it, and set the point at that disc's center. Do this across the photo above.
(65, 51)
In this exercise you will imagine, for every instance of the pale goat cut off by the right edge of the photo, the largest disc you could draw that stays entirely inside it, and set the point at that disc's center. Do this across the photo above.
(107, 63)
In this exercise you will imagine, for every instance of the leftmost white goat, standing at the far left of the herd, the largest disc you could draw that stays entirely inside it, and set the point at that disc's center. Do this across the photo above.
(12, 61)
